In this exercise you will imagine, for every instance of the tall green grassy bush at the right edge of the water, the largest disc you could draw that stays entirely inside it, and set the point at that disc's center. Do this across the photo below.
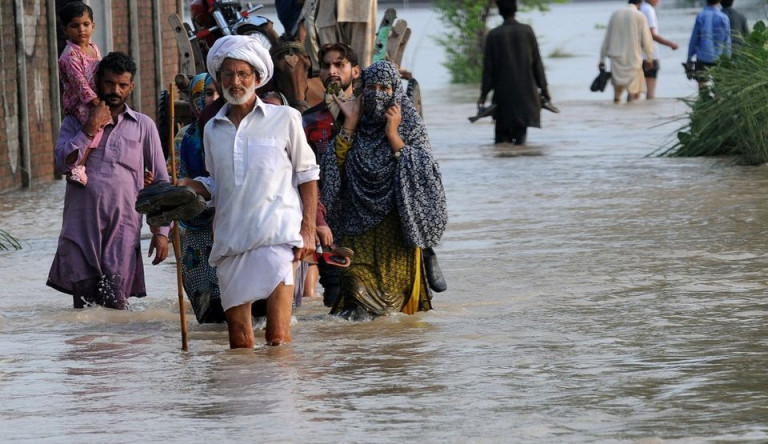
(730, 117)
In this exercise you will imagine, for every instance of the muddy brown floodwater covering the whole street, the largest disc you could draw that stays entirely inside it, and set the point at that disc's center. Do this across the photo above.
(596, 294)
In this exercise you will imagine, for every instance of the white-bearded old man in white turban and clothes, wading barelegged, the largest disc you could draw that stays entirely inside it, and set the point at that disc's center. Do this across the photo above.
(263, 183)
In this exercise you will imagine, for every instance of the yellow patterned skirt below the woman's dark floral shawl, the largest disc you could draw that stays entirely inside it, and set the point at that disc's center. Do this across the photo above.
(385, 276)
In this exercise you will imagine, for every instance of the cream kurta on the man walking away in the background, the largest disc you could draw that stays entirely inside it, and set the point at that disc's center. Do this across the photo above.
(626, 39)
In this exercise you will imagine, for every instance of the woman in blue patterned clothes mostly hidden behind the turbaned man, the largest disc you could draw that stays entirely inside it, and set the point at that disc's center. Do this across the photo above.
(200, 282)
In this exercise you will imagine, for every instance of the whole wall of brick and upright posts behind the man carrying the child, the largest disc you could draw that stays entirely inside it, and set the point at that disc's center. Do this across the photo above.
(29, 111)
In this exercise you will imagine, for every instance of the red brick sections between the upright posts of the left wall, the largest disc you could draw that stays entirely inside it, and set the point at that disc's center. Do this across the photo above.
(40, 121)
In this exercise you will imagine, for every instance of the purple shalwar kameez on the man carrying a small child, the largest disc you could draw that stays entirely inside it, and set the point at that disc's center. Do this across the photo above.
(98, 259)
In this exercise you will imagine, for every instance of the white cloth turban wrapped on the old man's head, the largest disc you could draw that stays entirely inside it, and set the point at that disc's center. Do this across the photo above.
(240, 47)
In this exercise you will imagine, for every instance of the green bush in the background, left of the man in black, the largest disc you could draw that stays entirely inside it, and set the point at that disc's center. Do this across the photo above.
(464, 40)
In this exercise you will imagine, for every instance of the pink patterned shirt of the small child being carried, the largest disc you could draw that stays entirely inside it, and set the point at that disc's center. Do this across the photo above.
(77, 71)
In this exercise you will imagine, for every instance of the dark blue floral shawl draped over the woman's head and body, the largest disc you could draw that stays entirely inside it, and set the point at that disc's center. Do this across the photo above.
(374, 183)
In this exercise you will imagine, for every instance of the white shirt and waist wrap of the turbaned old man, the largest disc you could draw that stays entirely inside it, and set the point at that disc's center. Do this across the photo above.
(255, 170)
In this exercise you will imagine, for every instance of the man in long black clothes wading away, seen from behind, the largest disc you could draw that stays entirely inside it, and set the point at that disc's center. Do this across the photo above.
(512, 68)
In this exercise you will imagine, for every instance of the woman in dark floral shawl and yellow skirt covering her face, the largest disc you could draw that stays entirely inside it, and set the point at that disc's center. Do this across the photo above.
(385, 199)
